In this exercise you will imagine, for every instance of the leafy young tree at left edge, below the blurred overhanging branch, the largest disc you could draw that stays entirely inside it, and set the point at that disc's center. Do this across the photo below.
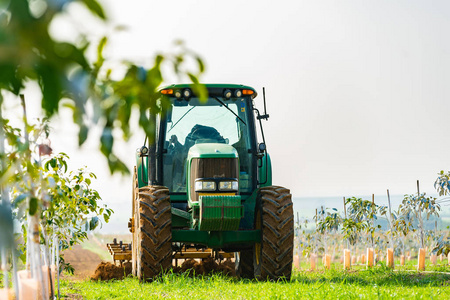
(41, 184)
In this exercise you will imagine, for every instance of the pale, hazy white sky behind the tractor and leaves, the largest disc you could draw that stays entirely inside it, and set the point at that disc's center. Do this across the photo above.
(357, 91)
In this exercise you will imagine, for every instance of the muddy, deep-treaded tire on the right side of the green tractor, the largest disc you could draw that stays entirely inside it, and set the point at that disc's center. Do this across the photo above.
(275, 219)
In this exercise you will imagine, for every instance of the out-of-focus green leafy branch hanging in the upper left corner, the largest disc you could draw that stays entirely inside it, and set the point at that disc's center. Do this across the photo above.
(28, 52)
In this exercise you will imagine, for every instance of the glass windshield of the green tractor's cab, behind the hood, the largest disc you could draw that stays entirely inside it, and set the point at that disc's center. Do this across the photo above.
(192, 122)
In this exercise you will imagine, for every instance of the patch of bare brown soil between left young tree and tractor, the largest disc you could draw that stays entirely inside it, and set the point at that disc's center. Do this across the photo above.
(84, 262)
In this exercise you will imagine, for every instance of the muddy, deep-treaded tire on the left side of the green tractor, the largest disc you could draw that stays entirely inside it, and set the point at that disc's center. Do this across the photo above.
(154, 232)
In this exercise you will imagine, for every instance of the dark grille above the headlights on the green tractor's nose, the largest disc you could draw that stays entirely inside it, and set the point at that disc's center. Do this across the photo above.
(212, 168)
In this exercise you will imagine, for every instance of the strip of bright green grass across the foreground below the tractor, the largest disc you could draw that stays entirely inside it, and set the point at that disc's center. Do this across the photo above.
(378, 283)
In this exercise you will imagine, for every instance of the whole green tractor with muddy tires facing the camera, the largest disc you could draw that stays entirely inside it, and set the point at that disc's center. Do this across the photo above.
(203, 188)
